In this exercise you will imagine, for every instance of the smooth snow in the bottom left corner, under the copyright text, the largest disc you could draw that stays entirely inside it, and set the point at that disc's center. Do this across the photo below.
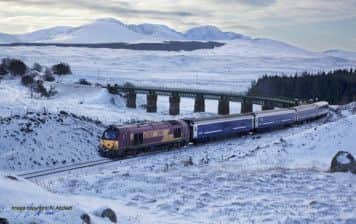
(25, 202)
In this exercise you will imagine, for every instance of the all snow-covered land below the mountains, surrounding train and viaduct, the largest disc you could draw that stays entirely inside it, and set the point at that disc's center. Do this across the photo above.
(277, 177)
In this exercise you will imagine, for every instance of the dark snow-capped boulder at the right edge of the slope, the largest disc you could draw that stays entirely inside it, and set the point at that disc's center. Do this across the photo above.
(343, 162)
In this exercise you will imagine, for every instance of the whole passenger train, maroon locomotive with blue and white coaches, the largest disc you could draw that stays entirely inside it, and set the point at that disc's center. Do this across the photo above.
(122, 140)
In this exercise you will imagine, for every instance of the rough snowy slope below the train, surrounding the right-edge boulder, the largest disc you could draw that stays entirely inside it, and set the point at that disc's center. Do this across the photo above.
(277, 177)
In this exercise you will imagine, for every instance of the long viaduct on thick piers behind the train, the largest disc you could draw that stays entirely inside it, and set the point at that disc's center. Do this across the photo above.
(175, 94)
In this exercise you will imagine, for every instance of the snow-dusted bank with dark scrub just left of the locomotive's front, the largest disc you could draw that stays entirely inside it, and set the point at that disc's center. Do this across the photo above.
(43, 139)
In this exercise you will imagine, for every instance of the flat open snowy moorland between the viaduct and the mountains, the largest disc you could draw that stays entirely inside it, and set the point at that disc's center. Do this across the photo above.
(231, 67)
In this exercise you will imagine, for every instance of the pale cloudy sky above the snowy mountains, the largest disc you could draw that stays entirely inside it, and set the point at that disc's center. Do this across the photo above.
(312, 24)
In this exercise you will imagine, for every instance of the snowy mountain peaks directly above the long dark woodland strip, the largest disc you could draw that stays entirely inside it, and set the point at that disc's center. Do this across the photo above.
(112, 30)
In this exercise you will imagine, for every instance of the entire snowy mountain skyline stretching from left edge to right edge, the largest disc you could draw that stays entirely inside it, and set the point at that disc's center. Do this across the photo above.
(109, 30)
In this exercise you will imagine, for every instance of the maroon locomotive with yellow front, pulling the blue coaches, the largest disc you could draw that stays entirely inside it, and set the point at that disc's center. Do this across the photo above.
(129, 139)
